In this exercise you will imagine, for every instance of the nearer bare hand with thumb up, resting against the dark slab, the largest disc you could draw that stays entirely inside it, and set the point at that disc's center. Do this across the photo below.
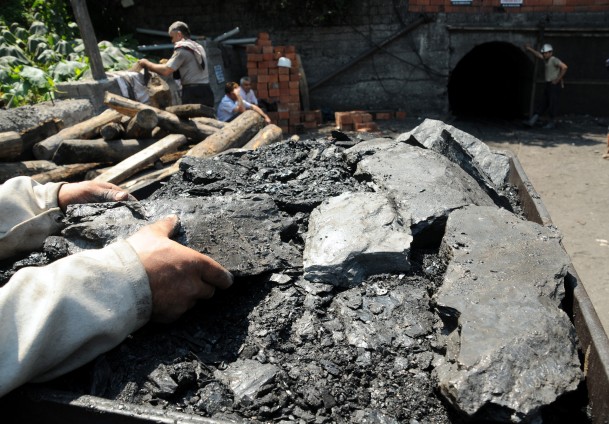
(178, 275)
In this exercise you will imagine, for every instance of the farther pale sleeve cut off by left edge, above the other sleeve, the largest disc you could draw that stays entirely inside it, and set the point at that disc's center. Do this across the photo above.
(29, 213)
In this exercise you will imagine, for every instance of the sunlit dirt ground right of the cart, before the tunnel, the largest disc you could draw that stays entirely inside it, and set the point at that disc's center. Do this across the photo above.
(566, 167)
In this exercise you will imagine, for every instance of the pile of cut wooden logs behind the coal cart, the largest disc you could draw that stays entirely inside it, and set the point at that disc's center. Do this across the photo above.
(130, 144)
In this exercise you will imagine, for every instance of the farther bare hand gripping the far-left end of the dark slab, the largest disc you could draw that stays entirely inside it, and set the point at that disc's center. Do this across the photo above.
(90, 192)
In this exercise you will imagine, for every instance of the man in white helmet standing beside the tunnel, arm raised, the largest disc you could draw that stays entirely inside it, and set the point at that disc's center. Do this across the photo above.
(555, 70)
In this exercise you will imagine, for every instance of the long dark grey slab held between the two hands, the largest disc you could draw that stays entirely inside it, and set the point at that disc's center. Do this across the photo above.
(240, 232)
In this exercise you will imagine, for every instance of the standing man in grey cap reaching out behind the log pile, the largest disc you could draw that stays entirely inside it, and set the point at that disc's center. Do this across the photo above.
(189, 60)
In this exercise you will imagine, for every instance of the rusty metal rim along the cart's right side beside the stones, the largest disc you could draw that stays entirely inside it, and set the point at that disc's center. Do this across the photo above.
(590, 332)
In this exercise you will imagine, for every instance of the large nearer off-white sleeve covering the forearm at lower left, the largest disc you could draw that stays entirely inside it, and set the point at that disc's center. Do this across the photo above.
(59, 317)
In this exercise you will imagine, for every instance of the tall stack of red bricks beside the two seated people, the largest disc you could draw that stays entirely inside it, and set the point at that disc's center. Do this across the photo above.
(281, 85)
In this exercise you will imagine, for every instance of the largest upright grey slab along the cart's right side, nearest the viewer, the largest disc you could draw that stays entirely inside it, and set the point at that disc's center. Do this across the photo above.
(510, 349)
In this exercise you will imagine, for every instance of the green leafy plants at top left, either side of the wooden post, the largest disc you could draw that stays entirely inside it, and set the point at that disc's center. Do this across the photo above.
(41, 48)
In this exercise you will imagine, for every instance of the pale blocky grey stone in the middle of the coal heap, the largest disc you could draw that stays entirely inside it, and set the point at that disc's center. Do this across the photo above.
(353, 236)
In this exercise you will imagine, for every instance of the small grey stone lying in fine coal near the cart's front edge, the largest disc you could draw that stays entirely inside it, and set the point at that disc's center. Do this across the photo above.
(246, 377)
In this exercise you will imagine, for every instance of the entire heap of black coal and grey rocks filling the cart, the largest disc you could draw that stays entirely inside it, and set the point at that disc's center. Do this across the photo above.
(344, 344)
